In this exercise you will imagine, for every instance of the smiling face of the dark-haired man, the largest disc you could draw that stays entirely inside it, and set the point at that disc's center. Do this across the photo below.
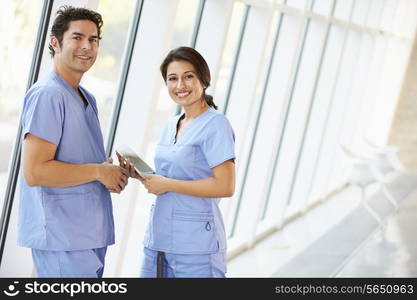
(79, 47)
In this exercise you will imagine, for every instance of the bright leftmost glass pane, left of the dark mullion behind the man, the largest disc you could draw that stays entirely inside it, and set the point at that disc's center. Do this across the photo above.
(18, 27)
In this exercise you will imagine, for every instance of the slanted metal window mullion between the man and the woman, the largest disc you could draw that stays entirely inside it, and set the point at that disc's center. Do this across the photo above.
(124, 76)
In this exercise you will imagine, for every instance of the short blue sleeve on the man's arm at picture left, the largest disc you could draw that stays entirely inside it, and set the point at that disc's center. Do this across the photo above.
(43, 115)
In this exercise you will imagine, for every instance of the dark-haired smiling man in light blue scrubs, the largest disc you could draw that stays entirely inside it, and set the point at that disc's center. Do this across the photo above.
(65, 211)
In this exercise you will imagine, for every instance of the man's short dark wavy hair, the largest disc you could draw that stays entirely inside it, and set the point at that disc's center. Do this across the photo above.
(65, 15)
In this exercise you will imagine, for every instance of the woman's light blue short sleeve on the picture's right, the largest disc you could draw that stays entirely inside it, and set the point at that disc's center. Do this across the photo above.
(218, 144)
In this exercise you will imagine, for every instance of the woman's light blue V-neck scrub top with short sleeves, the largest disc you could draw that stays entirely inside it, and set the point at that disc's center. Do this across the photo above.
(185, 224)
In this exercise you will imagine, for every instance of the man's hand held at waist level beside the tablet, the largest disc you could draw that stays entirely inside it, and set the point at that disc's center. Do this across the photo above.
(114, 178)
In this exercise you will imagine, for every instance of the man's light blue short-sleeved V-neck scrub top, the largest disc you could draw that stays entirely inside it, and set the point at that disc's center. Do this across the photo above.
(65, 218)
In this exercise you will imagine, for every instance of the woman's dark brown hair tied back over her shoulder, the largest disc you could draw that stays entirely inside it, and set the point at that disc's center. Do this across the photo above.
(200, 65)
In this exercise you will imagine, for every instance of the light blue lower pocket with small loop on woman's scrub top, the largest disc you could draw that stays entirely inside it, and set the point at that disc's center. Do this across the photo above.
(193, 232)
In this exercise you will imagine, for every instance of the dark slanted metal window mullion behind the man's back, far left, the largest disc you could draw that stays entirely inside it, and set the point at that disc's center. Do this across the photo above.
(16, 155)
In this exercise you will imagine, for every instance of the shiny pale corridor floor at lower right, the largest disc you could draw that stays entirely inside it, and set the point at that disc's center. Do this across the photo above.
(340, 238)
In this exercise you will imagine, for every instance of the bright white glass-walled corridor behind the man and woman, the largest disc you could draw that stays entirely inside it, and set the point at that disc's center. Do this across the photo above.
(322, 99)
